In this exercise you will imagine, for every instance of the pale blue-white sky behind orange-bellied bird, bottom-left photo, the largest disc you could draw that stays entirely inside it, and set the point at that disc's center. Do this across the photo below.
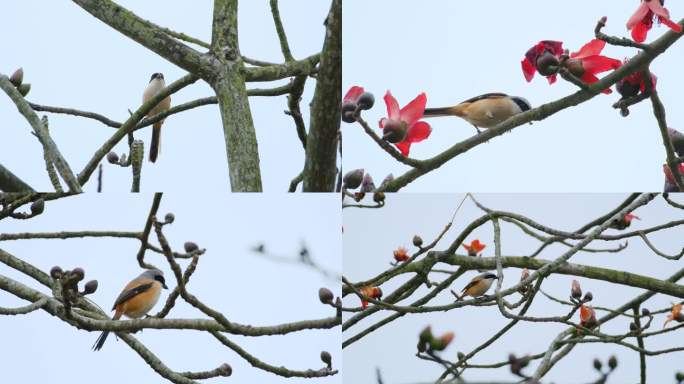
(247, 288)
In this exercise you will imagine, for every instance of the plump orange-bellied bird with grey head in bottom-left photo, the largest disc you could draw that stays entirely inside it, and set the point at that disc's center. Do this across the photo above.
(136, 299)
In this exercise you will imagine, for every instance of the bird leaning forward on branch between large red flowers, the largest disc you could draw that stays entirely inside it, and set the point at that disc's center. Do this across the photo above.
(484, 111)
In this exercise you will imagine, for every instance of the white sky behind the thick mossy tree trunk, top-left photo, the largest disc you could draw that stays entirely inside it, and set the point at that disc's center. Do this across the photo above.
(74, 60)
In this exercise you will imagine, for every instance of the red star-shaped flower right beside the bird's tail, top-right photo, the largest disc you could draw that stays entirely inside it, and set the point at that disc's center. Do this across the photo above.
(402, 126)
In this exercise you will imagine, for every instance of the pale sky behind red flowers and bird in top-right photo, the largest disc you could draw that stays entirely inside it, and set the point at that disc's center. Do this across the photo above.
(453, 50)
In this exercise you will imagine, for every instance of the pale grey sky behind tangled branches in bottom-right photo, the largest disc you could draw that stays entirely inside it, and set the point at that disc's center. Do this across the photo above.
(371, 235)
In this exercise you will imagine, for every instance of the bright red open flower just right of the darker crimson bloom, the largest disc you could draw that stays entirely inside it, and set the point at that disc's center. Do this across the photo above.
(587, 62)
